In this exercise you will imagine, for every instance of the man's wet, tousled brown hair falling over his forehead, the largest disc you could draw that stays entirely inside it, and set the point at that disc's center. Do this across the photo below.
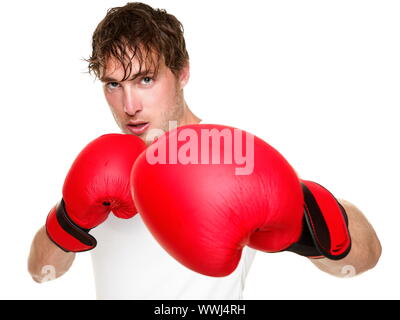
(137, 29)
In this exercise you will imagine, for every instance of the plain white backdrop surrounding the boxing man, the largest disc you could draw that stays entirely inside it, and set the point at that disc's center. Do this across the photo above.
(319, 80)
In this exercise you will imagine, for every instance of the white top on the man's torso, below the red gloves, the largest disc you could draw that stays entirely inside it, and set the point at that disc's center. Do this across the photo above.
(129, 264)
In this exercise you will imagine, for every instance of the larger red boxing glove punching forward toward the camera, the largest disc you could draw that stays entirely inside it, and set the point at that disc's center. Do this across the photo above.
(206, 191)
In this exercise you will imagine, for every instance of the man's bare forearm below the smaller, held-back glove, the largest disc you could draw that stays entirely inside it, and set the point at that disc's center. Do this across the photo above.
(47, 261)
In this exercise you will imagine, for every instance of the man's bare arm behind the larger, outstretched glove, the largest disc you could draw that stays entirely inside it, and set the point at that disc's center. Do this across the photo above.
(365, 249)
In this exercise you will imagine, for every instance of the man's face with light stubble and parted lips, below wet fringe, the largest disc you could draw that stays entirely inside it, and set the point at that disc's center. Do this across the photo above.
(145, 101)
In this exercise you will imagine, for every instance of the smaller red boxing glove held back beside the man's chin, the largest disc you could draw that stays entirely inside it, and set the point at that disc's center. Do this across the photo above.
(97, 183)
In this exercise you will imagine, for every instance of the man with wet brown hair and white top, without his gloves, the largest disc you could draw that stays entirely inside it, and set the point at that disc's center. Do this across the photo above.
(140, 56)
